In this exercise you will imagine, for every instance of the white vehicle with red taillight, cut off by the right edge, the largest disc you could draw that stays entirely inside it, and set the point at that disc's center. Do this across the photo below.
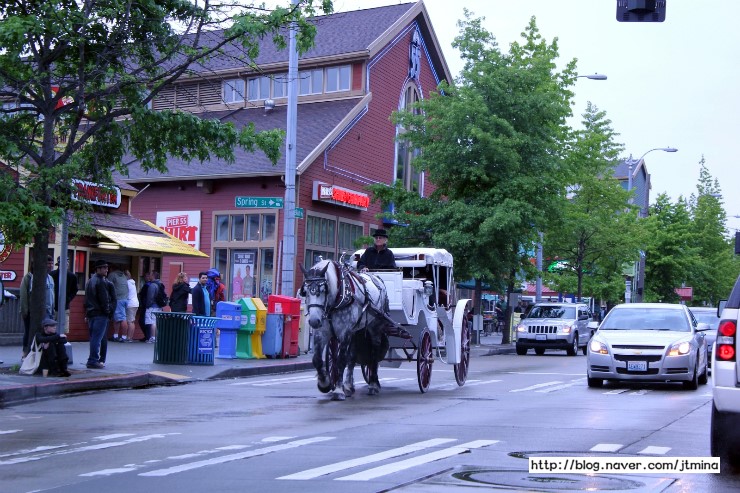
(725, 432)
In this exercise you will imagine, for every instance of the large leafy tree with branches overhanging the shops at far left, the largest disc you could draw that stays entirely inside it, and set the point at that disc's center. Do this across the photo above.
(76, 80)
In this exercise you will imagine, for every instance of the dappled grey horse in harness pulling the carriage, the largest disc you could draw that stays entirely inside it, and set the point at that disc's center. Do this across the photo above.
(347, 310)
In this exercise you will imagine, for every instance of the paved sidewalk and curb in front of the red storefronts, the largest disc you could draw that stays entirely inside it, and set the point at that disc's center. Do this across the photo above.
(131, 366)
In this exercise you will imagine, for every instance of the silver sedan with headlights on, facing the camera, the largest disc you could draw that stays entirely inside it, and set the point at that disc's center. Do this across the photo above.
(648, 342)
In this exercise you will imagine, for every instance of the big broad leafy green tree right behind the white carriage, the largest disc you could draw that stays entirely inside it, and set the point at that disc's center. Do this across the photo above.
(491, 147)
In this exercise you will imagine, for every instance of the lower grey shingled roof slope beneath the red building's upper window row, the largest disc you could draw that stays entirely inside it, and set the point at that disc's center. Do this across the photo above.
(316, 121)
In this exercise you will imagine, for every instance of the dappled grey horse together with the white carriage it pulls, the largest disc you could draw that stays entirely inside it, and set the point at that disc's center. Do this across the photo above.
(402, 315)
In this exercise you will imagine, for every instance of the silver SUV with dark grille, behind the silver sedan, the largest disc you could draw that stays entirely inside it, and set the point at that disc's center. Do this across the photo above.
(554, 326)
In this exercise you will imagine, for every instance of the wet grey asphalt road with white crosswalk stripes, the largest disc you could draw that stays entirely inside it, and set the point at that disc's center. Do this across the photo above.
(279, 434)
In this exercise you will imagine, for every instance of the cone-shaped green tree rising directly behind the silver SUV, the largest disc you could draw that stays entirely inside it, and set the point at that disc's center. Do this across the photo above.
(598, 230)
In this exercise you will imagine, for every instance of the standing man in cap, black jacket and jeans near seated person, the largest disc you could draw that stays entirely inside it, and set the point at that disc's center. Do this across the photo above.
(100, 304)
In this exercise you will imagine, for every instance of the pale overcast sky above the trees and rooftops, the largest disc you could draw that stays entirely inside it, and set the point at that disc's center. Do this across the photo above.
(670, 84)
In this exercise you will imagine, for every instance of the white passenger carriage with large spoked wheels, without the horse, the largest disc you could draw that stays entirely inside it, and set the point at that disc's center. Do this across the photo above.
(429, 323)
